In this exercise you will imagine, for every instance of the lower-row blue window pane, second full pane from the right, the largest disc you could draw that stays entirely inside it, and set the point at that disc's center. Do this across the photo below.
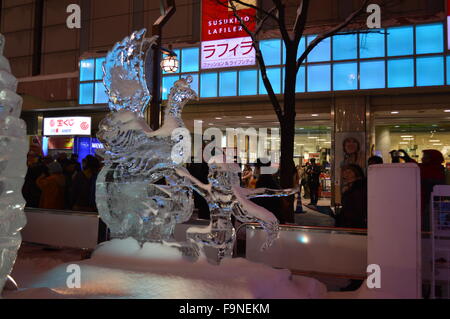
(400, 73)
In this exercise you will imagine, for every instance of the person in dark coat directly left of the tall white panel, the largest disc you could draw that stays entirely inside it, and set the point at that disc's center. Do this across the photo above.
(354, 198)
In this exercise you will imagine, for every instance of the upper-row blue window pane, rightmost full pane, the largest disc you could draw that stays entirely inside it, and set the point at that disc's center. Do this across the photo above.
(430, 38)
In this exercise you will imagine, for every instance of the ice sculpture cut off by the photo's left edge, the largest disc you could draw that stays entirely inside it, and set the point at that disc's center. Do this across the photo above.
(13, 154)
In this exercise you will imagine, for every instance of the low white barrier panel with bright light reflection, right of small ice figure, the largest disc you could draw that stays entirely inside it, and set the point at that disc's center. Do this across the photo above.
(308, 250)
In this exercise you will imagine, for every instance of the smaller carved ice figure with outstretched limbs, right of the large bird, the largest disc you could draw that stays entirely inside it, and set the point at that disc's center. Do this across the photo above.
(225, 198)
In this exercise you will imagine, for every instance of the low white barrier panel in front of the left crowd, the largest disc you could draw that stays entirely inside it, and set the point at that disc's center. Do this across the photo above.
(61, 229)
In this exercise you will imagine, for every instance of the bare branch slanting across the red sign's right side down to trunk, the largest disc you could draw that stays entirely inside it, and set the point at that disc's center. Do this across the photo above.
(262, 66)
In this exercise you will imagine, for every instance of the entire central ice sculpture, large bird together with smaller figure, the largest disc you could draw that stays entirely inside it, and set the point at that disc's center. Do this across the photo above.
(142, 191)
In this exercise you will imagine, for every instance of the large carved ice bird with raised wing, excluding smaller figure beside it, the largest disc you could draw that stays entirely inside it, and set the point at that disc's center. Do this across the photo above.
(138, 193)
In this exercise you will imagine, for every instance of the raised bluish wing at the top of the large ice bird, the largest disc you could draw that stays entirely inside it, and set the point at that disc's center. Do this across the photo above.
(124, 73)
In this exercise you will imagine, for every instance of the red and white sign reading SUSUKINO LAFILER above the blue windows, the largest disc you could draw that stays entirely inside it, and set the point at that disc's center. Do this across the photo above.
(225, 43)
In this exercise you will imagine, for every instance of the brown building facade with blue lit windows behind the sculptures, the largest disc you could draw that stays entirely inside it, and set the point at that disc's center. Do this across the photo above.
(384, 89)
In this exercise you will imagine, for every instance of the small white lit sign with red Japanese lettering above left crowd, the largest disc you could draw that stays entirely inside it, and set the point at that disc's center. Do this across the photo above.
(77, 125)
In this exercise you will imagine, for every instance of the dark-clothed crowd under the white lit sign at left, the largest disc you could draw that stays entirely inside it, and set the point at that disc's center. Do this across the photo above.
(60, 182)
